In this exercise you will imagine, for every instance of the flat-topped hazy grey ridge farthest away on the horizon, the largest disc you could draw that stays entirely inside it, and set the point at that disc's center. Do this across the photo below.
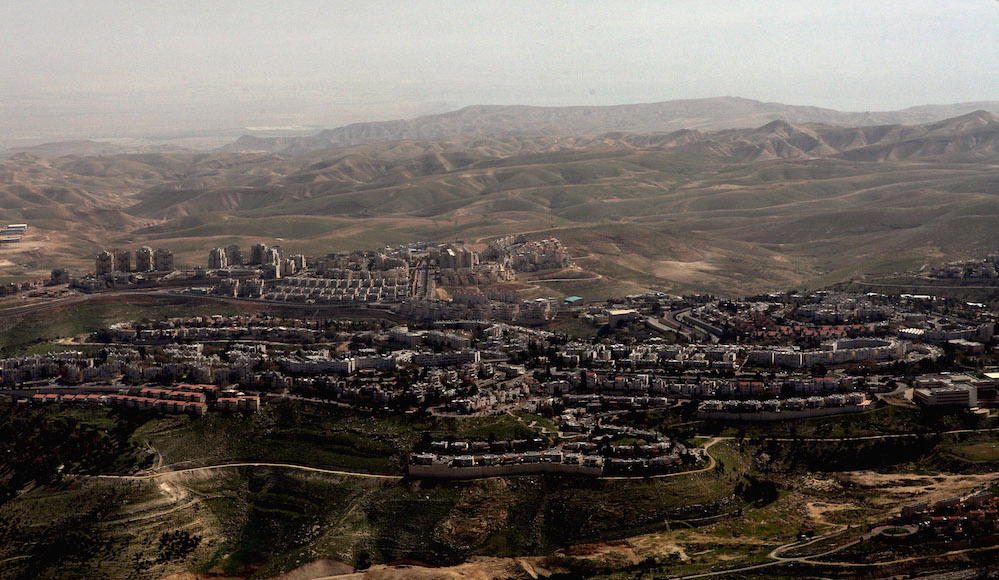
(506, 121)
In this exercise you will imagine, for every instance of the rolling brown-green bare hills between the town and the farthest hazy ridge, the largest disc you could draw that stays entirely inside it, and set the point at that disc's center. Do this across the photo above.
(730, 211)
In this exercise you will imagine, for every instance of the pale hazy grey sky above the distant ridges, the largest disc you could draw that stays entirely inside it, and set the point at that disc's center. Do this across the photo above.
(106, 68)
